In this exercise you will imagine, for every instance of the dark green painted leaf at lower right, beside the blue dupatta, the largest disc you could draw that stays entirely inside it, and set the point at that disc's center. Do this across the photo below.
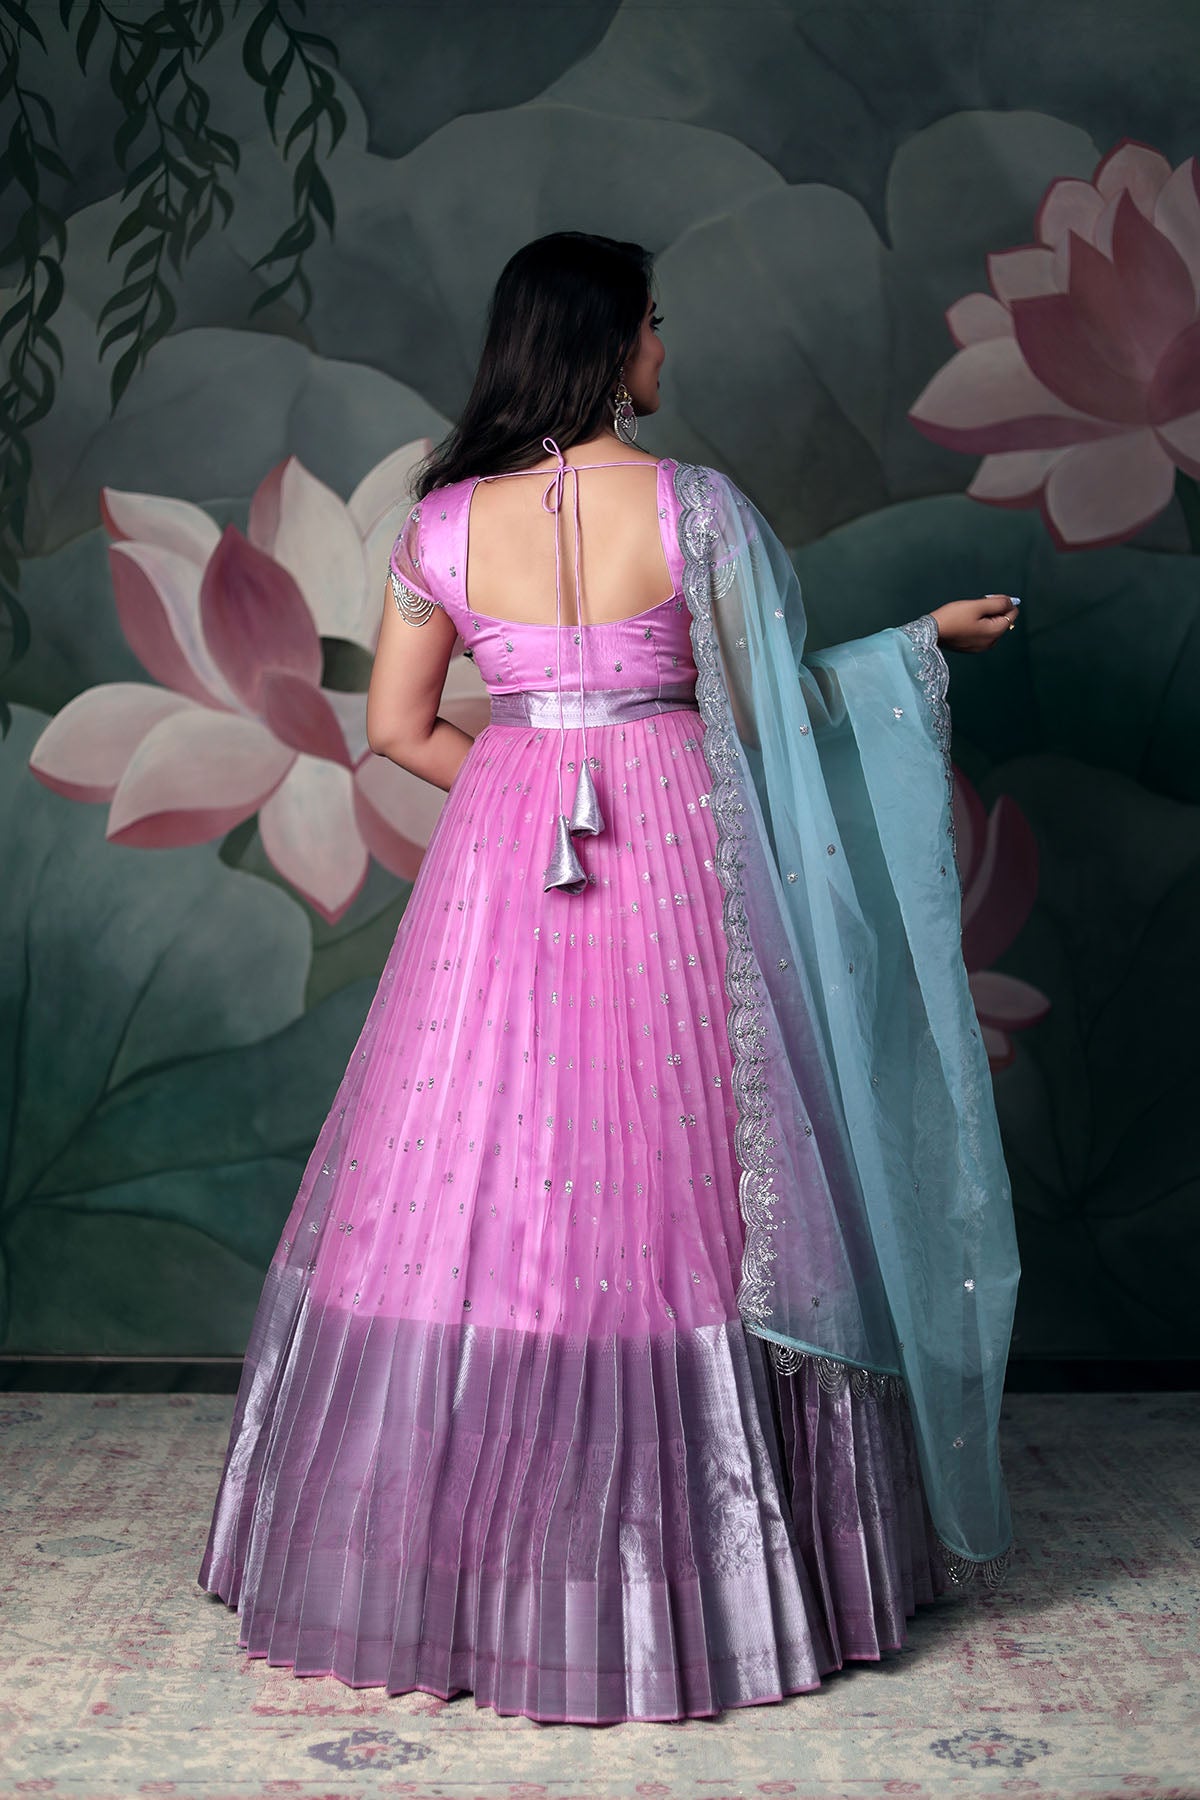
(1098, 1113)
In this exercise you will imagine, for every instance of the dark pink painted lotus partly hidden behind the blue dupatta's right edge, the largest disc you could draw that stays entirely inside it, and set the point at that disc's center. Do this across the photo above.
(998, 858)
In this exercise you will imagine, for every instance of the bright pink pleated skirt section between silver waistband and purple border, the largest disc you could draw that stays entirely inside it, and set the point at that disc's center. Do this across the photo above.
(542, 1131)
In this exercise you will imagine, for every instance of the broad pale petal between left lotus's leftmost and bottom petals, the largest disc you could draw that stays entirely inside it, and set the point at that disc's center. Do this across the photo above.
(195, 777)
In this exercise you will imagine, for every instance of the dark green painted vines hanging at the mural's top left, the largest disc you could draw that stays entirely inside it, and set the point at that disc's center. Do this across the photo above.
(175, 168)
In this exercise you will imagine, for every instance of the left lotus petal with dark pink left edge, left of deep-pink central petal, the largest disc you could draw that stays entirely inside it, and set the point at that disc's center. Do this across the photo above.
(157, 595)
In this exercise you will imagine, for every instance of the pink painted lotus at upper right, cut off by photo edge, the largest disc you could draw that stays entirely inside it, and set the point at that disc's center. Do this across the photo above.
(1079, 377)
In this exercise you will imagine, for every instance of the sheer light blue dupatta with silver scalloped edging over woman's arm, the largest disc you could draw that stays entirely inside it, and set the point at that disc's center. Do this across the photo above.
(875, 1198)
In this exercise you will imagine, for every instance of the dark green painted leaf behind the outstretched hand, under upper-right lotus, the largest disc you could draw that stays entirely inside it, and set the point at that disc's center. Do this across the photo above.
(1106, 663)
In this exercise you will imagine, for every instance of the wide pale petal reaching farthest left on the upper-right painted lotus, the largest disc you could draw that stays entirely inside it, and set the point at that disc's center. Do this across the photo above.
(987, 399)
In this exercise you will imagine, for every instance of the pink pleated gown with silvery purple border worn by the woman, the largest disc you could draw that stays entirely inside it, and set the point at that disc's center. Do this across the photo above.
(501, 1426)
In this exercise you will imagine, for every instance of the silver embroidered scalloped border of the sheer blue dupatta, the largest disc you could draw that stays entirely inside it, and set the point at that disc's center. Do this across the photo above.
(703, 582)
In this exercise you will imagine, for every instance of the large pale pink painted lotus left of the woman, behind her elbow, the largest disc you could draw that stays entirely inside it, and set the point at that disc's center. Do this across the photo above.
(231, 629)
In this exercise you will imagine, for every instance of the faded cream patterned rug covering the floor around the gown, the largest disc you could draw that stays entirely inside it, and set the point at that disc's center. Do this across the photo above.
(1077, 1682)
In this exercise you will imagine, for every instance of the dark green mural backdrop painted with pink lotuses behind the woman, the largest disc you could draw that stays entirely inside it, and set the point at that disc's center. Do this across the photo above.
(933, 298)
